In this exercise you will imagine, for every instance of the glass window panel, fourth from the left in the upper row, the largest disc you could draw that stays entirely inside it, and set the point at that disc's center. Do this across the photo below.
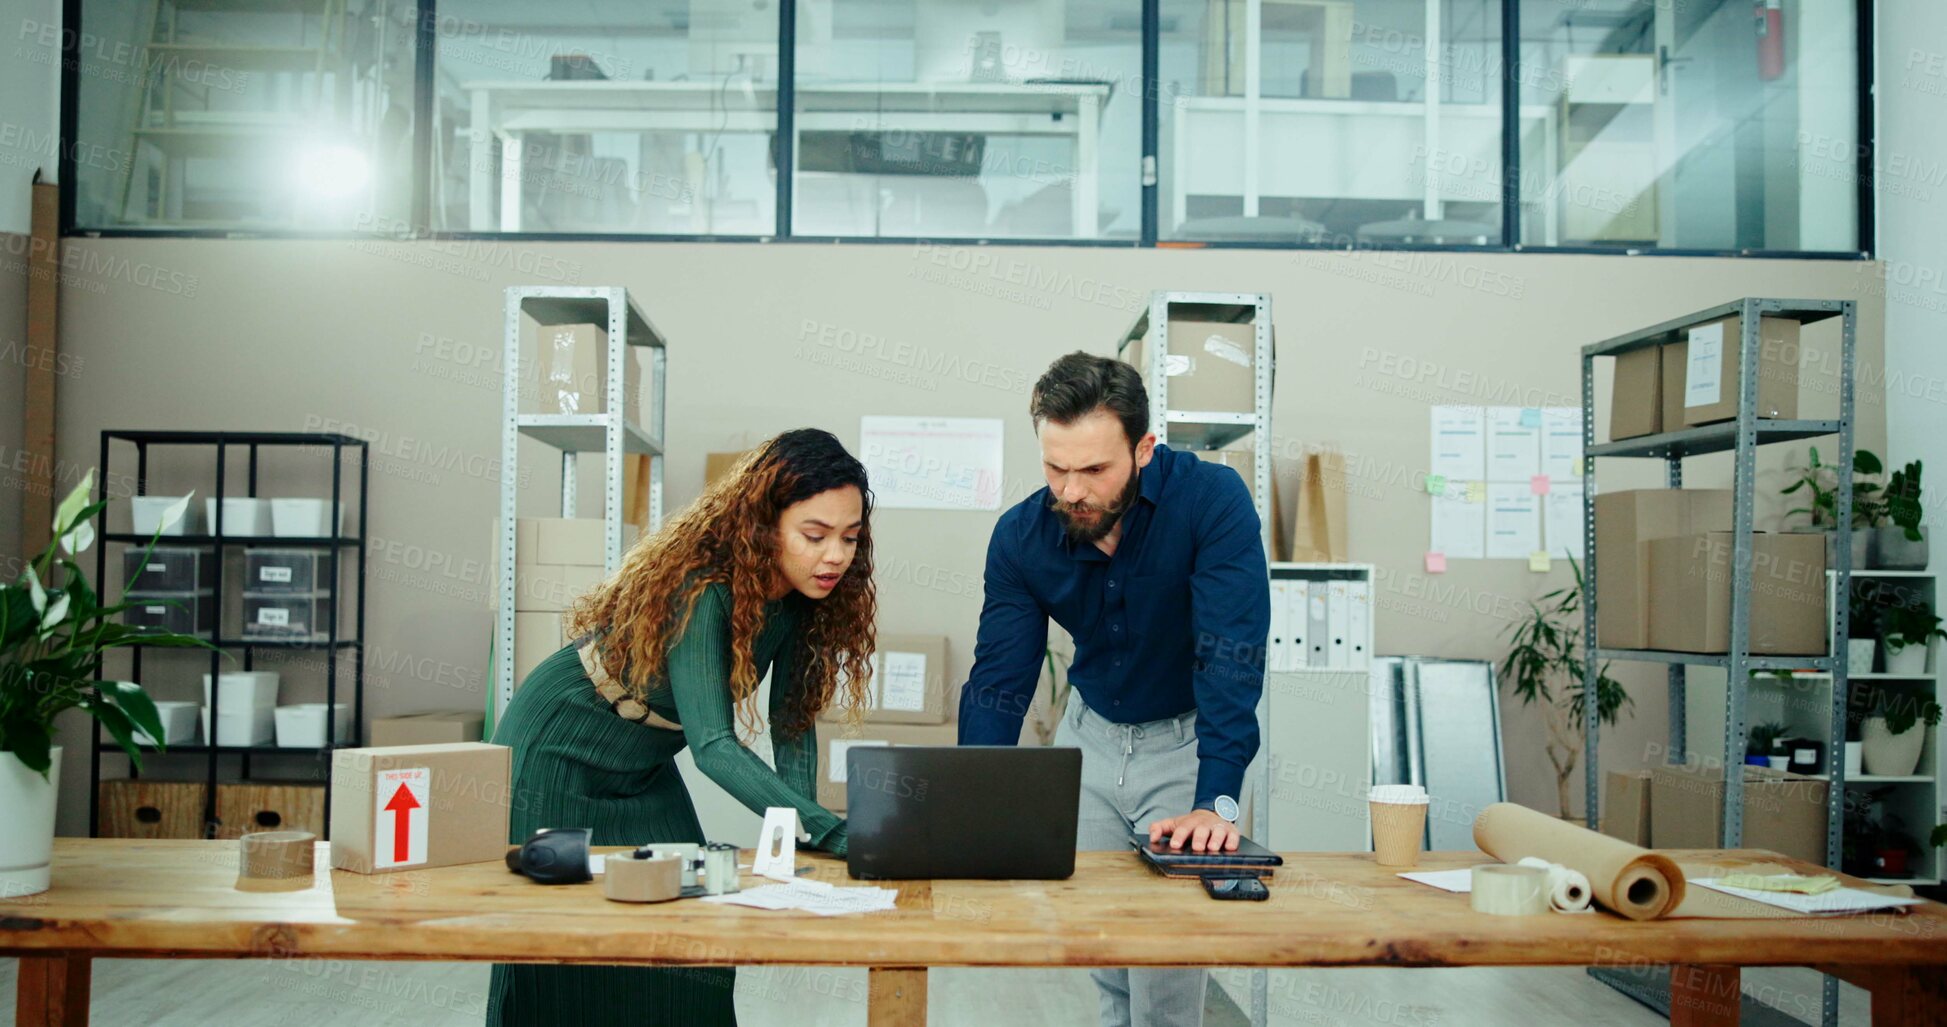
(1331, 122)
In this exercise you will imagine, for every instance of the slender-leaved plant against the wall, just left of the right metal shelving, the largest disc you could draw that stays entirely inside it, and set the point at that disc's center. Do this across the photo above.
(1545, 667)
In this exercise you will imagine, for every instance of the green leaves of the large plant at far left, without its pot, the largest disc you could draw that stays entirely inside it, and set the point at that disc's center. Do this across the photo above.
(54, 636)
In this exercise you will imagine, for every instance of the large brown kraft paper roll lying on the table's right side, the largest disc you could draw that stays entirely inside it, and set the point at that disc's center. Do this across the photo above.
(1623, 878)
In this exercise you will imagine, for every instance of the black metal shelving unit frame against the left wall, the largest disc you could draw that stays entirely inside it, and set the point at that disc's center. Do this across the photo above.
(217, 543)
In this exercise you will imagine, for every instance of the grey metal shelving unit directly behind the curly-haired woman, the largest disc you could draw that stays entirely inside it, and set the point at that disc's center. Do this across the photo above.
(612, 434)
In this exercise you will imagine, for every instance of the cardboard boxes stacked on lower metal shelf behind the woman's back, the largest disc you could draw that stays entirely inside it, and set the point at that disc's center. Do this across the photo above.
(556, 562)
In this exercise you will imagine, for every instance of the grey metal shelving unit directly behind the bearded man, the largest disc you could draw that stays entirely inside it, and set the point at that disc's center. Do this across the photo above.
(1193, 430)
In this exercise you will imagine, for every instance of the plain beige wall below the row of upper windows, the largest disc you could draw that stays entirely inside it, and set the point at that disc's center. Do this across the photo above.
(383, 338)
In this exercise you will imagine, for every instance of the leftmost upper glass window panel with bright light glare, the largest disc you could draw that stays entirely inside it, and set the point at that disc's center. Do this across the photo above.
(244, 114)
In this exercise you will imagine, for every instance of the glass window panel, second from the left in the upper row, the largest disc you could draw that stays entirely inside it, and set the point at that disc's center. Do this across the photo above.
(606, 116)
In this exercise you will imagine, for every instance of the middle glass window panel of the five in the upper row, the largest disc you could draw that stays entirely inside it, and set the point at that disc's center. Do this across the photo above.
(969, 120)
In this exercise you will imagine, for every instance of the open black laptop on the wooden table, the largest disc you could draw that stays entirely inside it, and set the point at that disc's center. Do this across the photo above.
(998, 814)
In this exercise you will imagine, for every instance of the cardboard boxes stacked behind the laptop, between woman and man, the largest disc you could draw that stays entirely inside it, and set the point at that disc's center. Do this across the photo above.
(910, 706)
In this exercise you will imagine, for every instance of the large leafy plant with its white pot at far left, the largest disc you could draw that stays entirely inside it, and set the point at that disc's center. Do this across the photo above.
(54, 636)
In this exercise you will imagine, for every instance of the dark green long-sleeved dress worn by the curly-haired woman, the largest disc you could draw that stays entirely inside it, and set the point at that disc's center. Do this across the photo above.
(577, 765)
